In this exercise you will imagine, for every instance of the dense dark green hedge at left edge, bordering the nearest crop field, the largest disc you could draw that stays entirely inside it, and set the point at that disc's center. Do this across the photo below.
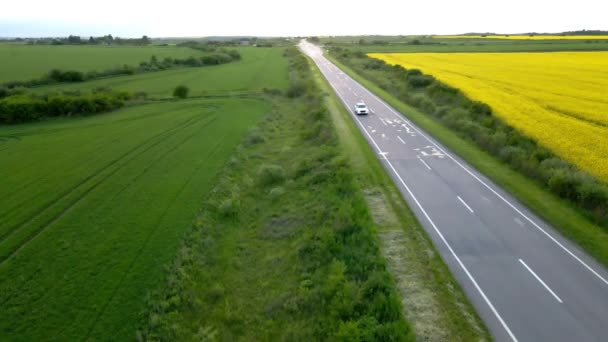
(20, 107)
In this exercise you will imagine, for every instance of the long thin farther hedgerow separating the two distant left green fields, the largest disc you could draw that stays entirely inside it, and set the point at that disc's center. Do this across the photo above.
(70, 76)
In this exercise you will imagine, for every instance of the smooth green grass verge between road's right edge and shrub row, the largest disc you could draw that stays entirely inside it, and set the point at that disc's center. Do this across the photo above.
(568, 220)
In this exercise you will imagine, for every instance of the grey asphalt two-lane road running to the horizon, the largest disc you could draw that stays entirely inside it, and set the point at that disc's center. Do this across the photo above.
(526, 281)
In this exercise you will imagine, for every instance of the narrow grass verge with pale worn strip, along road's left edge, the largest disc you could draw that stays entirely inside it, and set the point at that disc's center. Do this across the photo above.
(432, 299)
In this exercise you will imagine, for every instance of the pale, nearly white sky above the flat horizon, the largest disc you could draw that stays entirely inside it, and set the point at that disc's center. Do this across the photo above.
(177, 18)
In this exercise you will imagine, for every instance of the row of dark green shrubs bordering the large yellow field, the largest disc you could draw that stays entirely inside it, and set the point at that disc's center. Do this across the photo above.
(475, 122)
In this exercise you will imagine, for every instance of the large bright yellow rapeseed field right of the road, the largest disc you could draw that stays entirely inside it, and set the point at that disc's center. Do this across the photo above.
(558, 98)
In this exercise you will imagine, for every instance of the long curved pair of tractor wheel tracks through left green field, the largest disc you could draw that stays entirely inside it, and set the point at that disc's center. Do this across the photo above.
(124, 158)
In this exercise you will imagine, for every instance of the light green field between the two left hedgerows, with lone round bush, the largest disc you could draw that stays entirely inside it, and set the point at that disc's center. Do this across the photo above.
(259, 68)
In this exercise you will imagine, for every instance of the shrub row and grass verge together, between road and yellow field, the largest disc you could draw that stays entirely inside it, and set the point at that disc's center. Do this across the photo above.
(573, 201)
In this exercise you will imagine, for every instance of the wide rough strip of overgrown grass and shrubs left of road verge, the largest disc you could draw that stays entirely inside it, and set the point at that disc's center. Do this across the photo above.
(285, 248)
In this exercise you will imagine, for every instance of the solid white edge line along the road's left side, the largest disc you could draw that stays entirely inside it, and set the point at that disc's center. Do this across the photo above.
(460, 263)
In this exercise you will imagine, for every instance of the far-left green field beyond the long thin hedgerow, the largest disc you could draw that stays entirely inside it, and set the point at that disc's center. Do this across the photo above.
(23, 62)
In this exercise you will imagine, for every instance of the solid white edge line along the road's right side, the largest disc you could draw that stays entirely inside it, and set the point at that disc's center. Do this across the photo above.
(564, 248)
